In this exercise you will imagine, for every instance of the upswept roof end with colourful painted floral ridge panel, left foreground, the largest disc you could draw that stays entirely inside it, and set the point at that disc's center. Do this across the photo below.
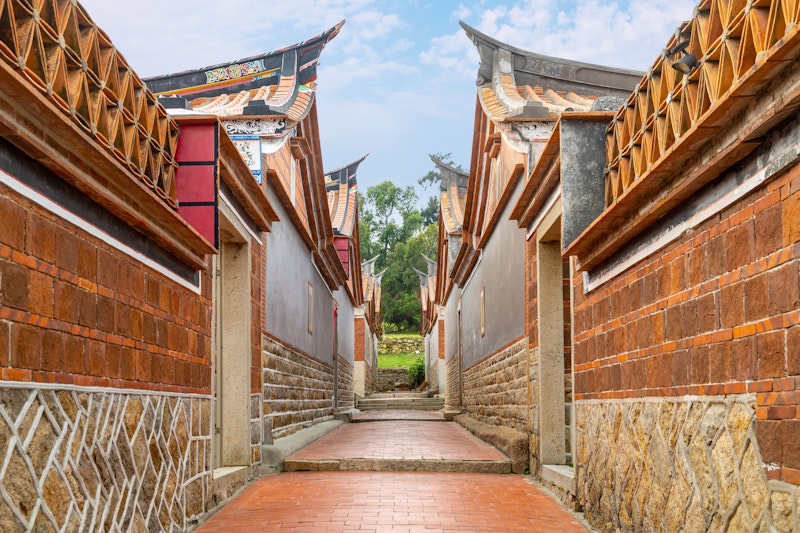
(280, 83)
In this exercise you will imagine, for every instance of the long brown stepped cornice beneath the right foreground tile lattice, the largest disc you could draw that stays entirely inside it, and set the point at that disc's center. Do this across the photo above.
(730, 131)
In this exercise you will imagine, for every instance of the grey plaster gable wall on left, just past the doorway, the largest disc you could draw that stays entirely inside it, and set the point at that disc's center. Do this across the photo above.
(289, 270)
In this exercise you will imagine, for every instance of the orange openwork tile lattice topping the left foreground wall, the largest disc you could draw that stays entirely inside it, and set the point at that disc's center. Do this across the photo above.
(60, 51)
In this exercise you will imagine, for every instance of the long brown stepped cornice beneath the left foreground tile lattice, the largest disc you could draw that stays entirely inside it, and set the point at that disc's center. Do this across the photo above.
(50, 137)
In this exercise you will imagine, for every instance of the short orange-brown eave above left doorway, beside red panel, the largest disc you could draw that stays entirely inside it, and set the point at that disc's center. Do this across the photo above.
(240, 180)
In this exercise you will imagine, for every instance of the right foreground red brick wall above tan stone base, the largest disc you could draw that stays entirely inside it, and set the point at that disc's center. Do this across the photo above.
(715, 312)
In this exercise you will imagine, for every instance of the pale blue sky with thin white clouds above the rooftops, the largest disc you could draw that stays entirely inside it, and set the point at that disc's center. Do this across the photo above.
(399, 80)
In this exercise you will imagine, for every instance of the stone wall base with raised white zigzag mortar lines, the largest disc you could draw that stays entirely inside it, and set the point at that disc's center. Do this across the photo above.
(111, 461)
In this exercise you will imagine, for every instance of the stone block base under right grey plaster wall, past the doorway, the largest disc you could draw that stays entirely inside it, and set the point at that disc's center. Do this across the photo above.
(496, 388)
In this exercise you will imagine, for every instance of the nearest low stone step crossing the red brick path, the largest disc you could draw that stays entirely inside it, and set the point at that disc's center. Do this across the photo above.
(398, 465)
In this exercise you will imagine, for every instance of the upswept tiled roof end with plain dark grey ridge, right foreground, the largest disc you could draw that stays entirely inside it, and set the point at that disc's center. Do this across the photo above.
(515, 84)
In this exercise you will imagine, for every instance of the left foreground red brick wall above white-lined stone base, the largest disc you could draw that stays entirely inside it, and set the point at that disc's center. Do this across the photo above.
(76, 310)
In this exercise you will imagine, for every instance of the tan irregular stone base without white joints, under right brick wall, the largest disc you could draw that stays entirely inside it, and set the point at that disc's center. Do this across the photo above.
(671, 464)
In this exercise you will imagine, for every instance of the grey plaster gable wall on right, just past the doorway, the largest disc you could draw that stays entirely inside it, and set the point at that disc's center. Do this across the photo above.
(501, 274)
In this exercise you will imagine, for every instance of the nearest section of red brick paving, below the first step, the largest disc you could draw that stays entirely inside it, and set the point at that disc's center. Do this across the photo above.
(391, 501)
